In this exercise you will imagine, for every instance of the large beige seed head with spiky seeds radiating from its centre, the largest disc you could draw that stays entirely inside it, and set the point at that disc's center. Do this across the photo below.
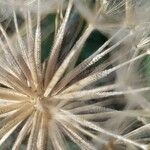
(52, 101)
